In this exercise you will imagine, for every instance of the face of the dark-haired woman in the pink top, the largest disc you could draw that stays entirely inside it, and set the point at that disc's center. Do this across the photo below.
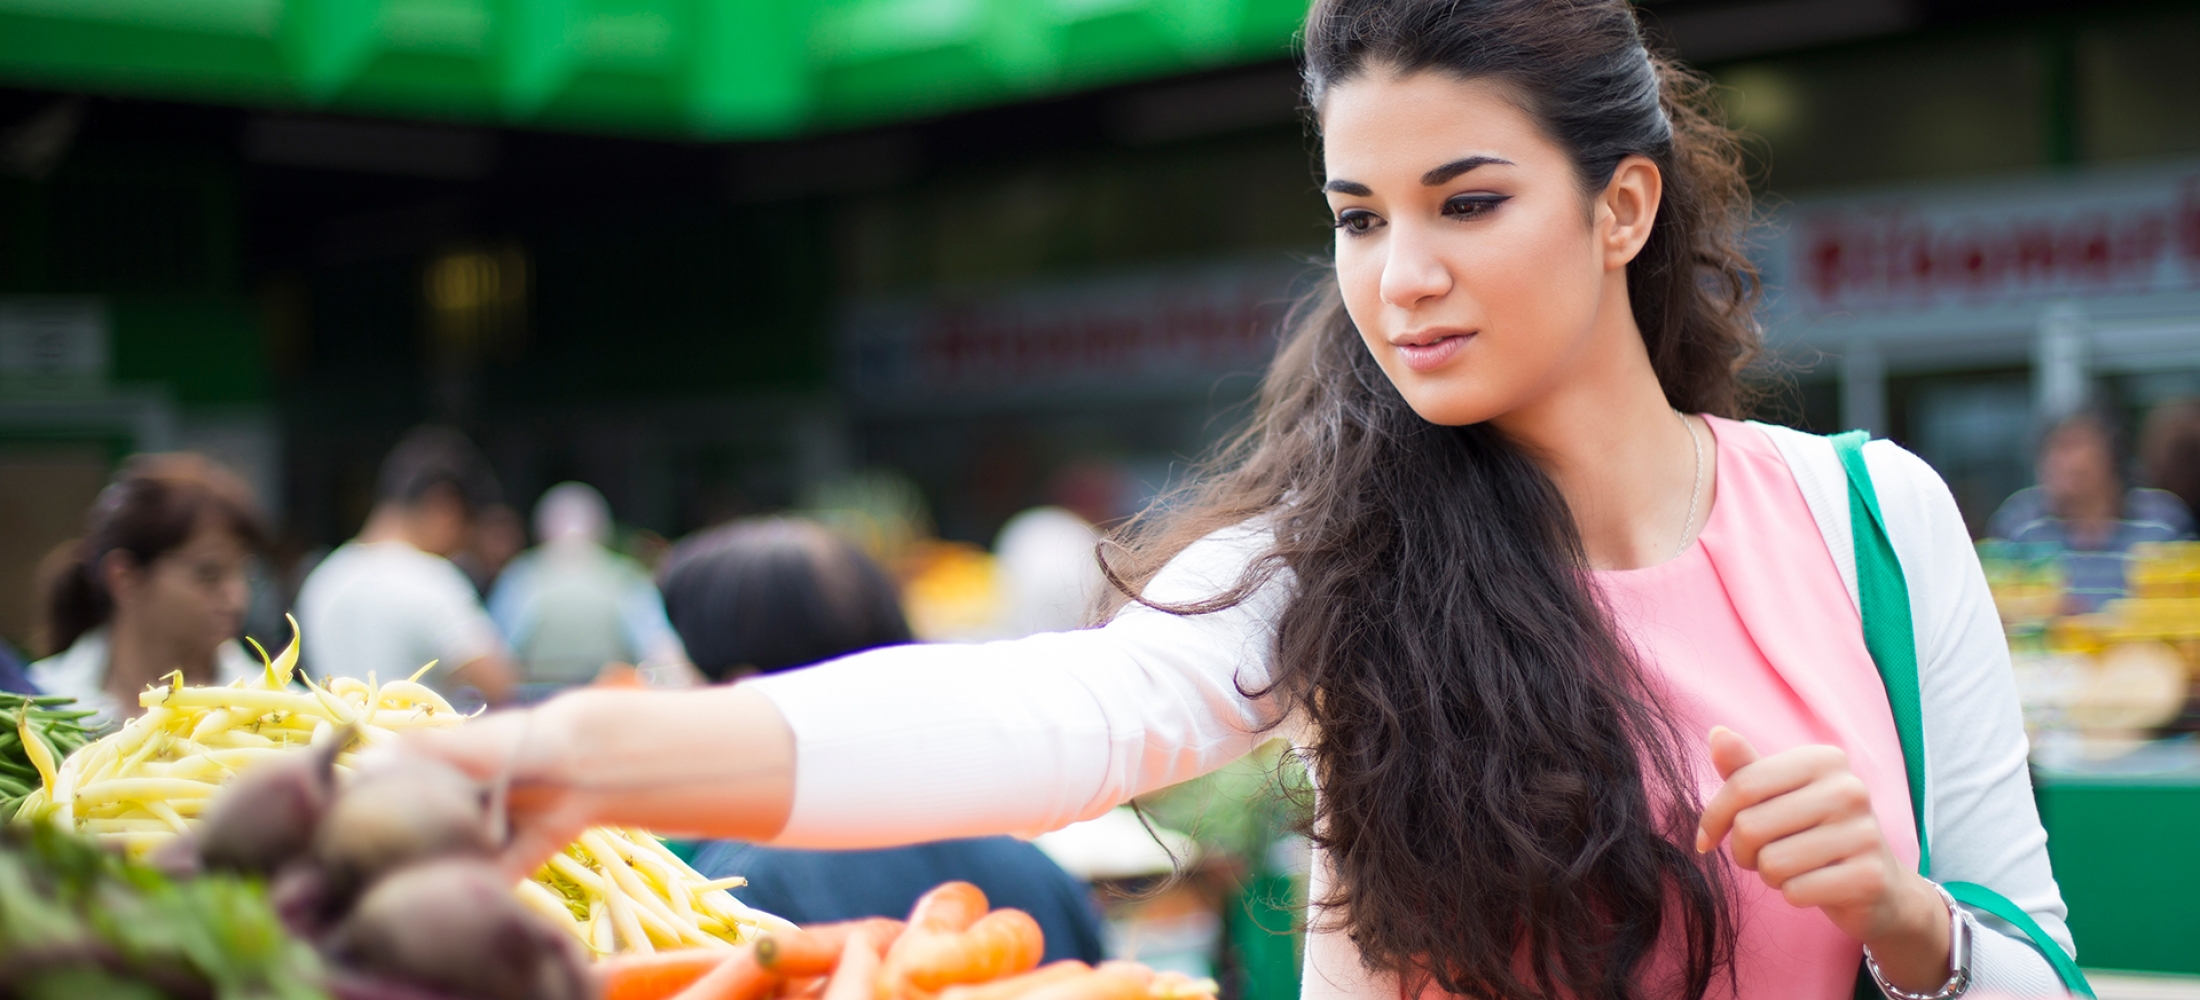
(1471, 258)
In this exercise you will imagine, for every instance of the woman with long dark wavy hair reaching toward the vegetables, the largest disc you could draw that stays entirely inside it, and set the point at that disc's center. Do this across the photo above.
(1495, 557)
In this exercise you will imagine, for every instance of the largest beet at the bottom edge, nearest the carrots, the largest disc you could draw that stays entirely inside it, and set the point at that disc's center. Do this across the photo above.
(454, 926)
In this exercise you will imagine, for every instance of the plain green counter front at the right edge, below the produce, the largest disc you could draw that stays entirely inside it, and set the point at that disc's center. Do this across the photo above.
(2126, 854)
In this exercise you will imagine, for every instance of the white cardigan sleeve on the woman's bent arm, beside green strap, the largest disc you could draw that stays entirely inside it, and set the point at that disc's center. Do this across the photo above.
(1981, 816)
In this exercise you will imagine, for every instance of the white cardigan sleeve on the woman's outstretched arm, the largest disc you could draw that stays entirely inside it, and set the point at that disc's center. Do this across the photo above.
(914, 744)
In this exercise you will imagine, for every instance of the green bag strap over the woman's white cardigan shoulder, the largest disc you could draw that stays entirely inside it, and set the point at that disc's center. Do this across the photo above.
(1891, 636)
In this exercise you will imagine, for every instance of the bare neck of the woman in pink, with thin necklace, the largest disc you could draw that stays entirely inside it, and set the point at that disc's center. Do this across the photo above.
(1620, 456)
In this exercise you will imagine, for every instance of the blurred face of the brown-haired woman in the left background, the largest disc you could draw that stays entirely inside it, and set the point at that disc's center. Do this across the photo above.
(192, 597)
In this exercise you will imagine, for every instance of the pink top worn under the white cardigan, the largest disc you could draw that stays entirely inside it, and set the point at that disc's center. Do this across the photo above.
(1752, 630)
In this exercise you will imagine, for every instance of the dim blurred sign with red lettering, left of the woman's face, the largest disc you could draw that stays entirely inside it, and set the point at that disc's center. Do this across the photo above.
(1114, 337)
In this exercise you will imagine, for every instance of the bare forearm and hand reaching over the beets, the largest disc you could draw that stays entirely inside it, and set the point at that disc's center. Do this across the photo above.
(714, 762)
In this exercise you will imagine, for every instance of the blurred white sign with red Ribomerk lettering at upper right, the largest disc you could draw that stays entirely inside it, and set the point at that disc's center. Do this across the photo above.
(1983, 245)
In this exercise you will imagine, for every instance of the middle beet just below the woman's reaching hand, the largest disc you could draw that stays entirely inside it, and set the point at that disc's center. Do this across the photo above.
(395, 814)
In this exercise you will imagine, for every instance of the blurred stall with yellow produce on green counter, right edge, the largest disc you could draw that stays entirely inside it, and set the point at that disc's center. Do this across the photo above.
(2109, 700)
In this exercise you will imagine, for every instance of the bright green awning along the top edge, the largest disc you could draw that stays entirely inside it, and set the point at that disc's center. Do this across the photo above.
(709, 69)
